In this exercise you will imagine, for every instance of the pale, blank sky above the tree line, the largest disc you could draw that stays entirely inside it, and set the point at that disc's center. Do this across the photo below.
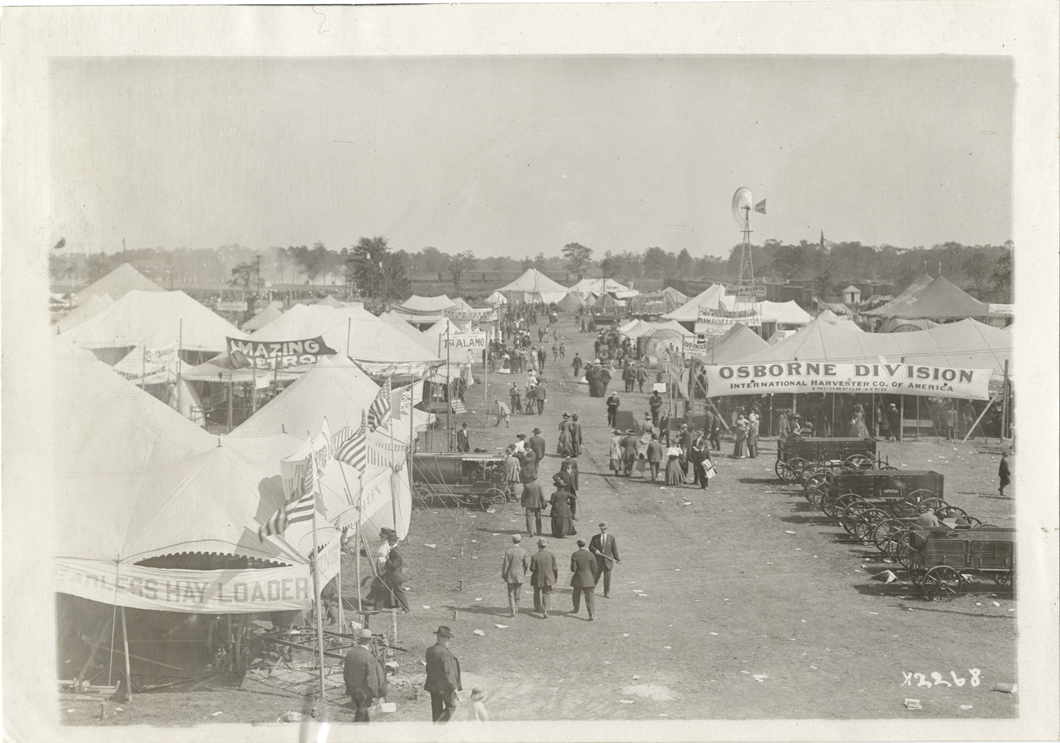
(521, 155)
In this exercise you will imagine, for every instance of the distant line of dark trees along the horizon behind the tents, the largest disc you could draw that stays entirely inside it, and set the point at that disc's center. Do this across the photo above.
(375, 270)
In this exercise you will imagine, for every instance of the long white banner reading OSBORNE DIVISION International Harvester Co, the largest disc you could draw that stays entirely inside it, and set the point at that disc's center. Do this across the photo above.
(820, 377)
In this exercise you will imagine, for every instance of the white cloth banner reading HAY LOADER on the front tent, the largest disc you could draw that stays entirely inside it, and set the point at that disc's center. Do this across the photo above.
(197, 592)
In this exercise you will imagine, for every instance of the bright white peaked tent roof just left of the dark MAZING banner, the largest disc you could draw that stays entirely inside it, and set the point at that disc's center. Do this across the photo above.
(156, 320)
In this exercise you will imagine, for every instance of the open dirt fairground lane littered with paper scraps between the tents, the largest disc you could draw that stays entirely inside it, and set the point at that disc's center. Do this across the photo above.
(736, 603)
